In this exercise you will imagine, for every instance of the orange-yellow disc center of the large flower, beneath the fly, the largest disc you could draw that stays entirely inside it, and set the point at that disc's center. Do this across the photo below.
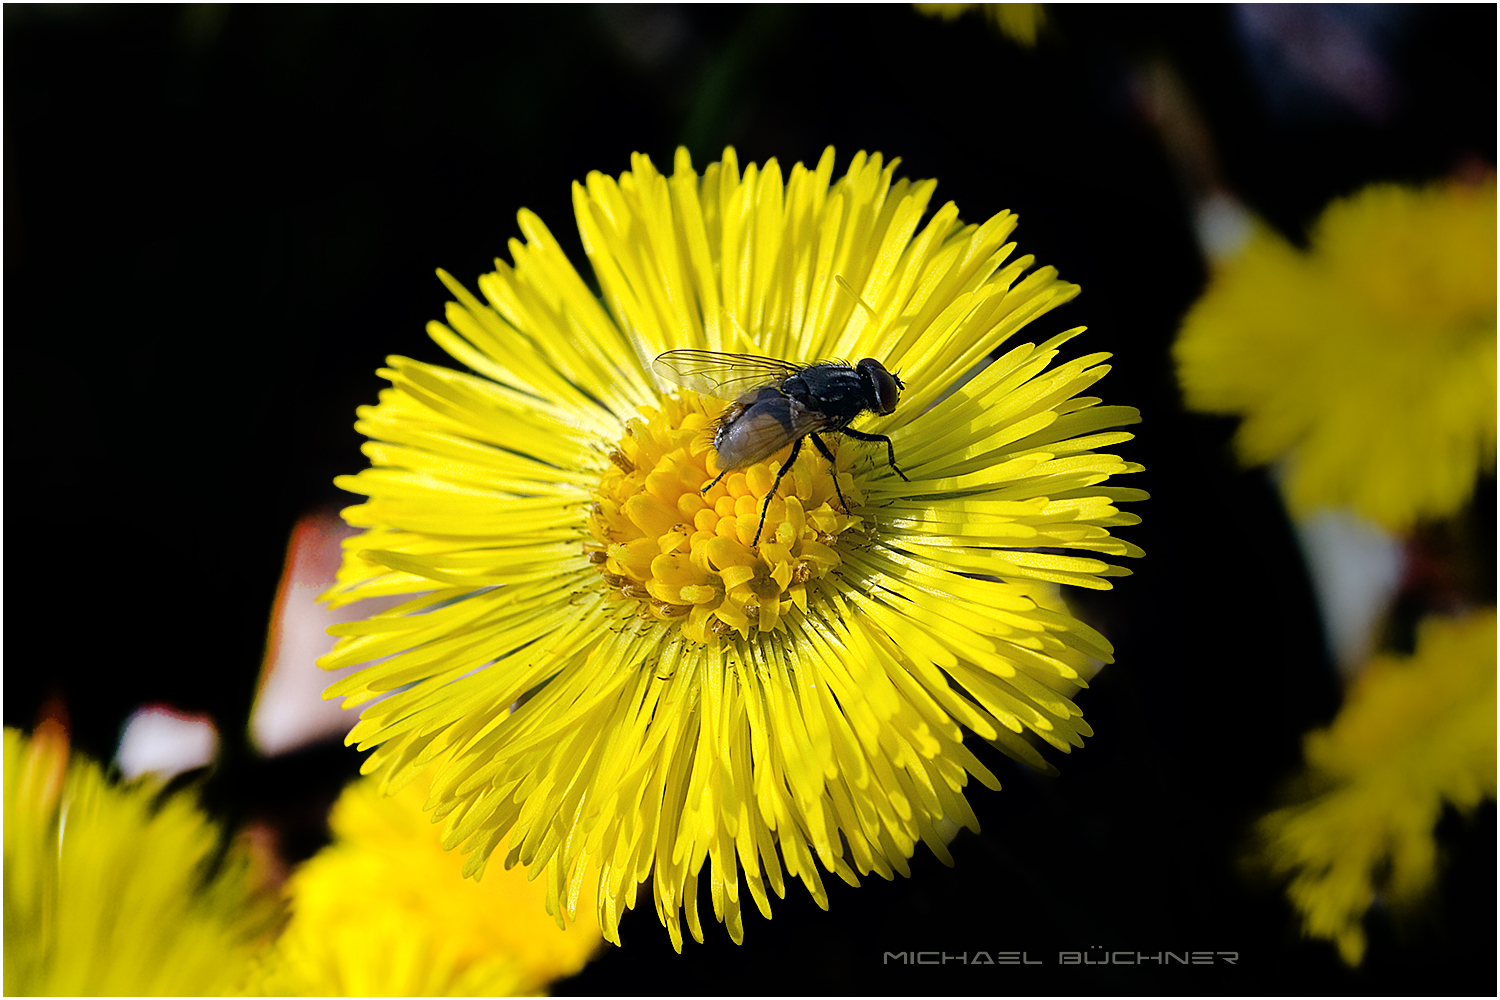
(686, 555)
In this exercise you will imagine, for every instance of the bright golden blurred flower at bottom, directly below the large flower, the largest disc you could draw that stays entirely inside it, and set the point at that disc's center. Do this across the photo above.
(385, 911)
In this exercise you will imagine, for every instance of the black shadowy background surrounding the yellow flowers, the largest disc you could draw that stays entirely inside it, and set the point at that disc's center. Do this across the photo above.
(220, 221)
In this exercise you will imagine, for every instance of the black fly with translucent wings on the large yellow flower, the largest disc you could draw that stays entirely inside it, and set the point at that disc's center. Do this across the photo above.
(779, 403)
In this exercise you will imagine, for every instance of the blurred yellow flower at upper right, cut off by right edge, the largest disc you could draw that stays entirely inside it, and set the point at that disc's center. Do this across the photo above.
(1369, 361)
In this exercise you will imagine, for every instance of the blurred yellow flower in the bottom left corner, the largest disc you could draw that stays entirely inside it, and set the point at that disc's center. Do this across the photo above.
(113, 893)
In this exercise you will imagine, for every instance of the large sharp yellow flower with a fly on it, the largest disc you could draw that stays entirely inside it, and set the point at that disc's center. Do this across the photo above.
(626, 684)
